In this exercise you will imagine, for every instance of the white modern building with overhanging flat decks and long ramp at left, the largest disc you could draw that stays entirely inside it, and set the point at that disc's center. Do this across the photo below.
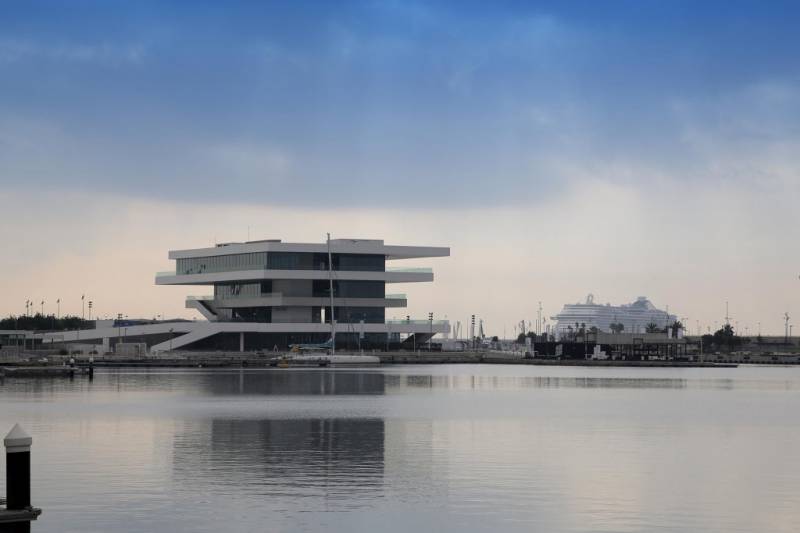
(265, 295)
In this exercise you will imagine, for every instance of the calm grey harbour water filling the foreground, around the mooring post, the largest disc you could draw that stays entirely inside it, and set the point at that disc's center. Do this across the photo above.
(416, 448)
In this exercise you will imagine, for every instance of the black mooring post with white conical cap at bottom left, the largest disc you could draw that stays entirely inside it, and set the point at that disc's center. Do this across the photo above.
(17, 516)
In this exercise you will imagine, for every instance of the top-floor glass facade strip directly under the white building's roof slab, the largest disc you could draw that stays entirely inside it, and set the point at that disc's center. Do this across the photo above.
(279, 261)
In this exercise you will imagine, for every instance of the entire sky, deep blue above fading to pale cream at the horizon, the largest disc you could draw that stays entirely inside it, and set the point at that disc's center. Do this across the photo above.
(559, 148)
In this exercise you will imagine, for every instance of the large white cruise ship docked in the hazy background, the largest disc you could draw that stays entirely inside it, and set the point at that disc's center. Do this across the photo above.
(634, 317)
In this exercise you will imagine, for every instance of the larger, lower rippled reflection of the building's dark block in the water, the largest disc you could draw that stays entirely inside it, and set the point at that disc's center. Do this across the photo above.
(331, 458)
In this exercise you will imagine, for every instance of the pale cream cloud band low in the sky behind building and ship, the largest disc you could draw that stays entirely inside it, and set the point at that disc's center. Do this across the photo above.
(691, 250)
